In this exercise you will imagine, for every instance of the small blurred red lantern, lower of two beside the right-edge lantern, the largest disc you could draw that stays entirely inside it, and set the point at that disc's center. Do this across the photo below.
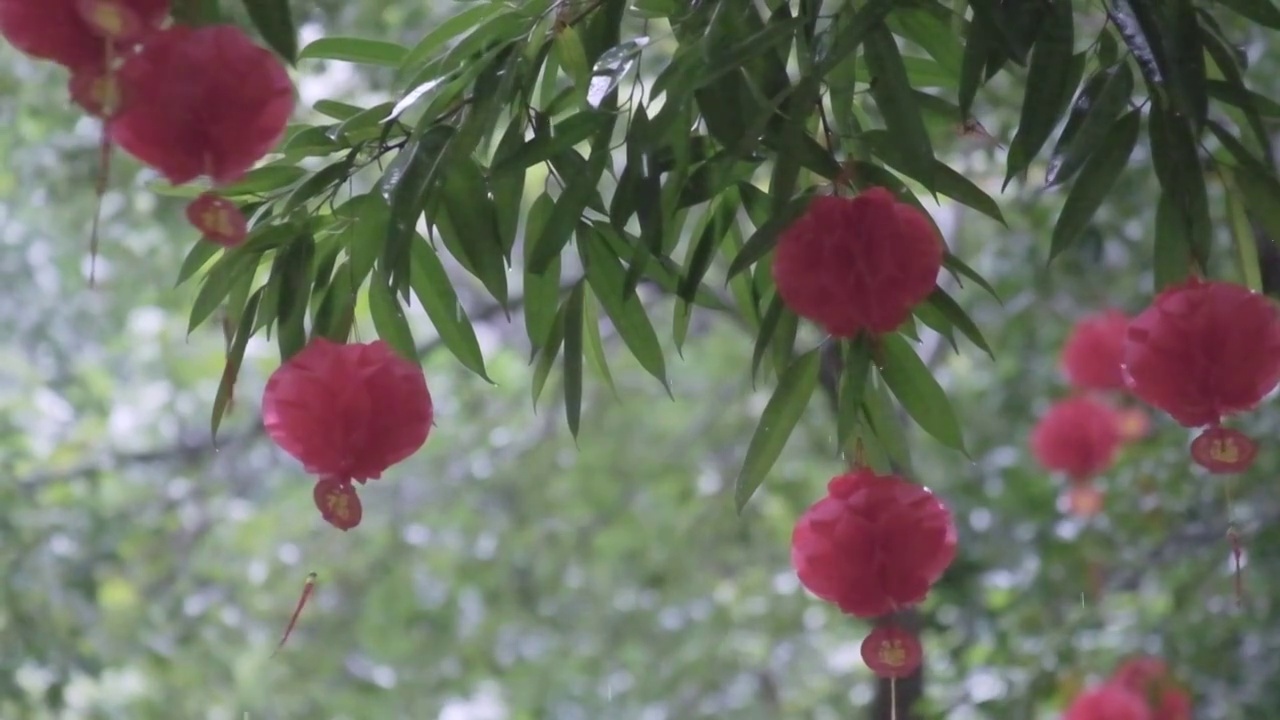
(1078, 436)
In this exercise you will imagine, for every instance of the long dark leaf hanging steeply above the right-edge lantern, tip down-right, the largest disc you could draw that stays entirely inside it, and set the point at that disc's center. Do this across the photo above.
(1176, 153)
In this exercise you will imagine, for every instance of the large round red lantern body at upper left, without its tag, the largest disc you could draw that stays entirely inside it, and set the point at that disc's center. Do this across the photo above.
(203, 102)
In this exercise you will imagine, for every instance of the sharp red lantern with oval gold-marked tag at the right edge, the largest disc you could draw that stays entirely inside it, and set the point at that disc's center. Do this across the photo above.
(1201, 352)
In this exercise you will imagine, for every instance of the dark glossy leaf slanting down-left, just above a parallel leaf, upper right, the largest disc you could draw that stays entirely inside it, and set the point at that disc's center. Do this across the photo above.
(1100, 103)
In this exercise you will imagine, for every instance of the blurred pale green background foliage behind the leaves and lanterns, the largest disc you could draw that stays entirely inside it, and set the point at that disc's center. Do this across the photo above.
(509, 573)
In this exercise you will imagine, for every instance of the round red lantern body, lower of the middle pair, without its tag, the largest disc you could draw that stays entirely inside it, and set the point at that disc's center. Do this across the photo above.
(874, 544)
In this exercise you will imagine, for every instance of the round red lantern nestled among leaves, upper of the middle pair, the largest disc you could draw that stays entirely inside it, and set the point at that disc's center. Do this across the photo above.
(858, 265)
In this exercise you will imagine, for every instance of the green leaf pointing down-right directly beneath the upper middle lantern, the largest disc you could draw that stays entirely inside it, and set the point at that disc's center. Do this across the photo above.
(921, 395)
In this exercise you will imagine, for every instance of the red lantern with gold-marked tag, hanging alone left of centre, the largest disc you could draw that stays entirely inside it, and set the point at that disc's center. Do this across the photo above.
(348, 413)
